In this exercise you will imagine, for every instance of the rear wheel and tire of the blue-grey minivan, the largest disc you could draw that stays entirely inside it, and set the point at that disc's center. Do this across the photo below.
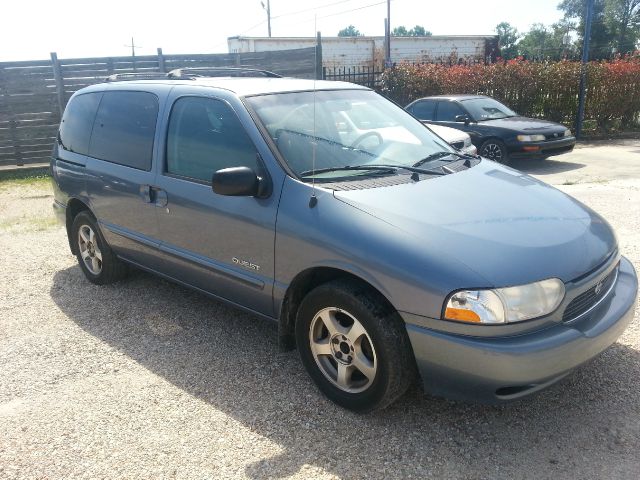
(97, 261)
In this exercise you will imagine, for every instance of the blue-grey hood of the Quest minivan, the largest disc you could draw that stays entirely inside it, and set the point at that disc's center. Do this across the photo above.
(508, 227)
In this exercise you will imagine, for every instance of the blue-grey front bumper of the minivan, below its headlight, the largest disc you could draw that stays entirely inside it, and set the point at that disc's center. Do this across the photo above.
(500, 369)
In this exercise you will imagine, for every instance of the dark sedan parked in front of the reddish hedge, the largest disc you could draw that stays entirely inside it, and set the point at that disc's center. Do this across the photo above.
(498, 132)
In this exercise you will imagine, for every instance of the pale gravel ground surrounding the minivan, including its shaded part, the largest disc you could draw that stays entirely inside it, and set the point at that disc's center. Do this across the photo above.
(146, 379)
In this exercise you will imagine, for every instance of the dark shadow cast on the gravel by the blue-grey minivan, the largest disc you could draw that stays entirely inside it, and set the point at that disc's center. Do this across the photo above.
(230, 360)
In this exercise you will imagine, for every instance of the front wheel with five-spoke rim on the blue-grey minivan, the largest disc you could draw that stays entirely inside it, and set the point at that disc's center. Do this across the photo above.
(354, 346)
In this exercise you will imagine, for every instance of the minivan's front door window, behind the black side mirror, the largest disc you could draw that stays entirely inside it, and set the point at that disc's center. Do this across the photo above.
(204, 136)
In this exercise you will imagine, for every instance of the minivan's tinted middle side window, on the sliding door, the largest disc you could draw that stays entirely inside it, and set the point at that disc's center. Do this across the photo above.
(124, 129)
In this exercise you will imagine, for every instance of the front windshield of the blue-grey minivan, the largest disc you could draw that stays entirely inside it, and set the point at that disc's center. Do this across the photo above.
(326, 130)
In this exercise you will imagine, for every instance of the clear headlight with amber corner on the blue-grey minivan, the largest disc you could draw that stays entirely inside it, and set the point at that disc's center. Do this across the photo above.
(505, 305)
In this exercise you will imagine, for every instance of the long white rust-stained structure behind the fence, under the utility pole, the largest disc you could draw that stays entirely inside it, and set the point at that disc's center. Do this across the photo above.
(370, 51)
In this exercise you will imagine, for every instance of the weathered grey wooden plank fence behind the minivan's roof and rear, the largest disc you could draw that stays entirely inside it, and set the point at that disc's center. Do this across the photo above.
(33, 94)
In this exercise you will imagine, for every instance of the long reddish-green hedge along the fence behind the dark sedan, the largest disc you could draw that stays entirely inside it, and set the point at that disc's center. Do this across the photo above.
(545, 90)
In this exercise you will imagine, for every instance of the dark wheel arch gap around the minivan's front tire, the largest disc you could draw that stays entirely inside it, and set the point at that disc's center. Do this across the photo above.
(299, 287)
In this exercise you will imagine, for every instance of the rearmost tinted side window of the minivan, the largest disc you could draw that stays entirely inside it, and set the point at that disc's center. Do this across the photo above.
(75, 128)
